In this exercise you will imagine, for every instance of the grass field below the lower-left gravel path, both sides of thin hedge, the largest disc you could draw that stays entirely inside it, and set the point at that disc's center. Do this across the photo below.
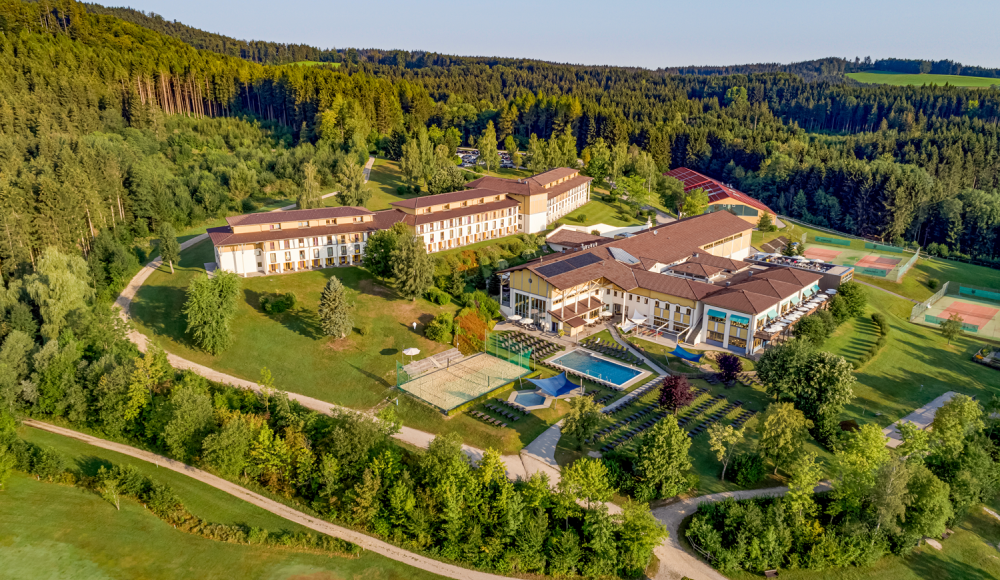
(54, 531)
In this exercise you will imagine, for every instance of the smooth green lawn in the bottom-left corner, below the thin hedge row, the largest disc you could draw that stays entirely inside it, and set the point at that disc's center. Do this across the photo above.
(54, 531)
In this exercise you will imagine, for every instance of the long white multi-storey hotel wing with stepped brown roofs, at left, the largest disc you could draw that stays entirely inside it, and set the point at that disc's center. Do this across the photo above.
(266, 243)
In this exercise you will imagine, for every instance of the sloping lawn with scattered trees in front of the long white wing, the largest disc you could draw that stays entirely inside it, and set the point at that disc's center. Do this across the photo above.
(357, 371)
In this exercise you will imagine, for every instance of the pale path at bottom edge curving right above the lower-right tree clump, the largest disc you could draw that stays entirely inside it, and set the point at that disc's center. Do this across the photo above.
(675, 561)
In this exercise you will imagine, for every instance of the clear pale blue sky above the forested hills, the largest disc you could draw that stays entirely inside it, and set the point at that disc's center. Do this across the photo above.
(646, 33)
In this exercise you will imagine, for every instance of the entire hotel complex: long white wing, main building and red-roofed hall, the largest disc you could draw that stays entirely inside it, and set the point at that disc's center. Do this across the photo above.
(692, 278)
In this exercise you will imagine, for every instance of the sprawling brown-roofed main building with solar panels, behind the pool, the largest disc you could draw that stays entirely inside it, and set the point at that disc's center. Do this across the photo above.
(686, 278)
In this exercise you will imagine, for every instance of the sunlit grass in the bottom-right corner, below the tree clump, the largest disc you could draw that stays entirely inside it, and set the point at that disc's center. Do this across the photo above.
(969, 554)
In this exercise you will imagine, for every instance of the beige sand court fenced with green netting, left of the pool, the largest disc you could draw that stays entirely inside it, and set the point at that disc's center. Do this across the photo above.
(461, 382)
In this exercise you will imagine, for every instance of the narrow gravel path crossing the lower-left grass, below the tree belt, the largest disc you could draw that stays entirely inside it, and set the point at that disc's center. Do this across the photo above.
(324, 527)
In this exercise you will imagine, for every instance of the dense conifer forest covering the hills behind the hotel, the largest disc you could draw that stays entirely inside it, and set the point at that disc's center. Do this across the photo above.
(107, 126)
